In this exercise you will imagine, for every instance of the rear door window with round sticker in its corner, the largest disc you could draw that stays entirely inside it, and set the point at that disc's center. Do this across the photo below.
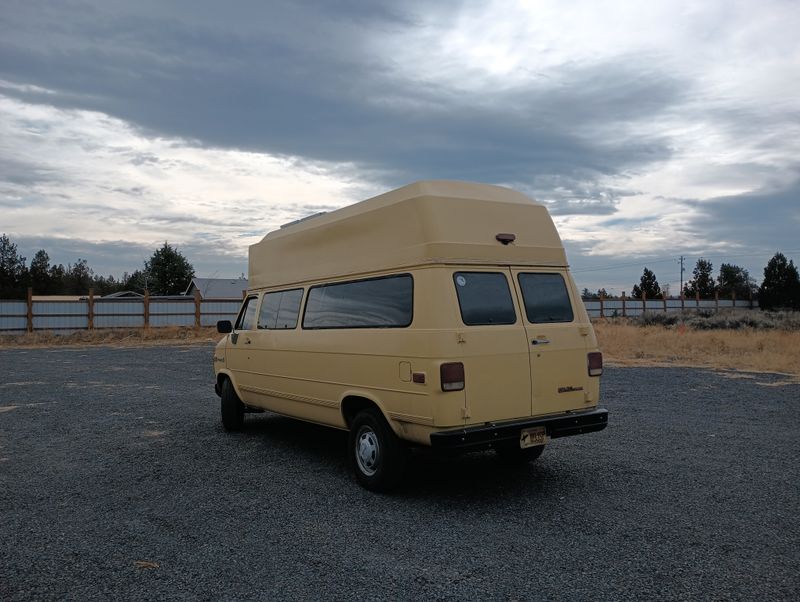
(484, 298)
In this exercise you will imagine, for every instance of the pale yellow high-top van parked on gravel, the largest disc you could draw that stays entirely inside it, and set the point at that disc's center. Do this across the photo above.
(440, 314)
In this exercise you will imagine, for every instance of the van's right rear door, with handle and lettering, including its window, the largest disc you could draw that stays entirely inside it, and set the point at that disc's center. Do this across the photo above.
(557, 348)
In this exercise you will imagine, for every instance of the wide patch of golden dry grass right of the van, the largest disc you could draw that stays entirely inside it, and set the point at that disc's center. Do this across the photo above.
(745, 349)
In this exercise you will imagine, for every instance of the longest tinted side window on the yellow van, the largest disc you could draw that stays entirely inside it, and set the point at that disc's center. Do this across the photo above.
(374, 303)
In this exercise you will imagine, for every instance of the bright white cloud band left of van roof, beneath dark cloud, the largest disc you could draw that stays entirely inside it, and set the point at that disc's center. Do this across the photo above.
(95, 178)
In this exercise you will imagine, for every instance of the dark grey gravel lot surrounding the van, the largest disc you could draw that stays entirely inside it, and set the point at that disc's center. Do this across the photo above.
(117, 481)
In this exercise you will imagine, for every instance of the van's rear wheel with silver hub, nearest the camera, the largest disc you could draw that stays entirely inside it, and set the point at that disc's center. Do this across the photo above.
(379, 459)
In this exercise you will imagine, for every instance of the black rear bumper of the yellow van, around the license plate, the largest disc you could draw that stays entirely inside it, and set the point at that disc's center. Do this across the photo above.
(562, 425)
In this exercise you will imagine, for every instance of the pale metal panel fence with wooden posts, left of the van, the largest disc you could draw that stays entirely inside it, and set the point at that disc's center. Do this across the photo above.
(60, 316)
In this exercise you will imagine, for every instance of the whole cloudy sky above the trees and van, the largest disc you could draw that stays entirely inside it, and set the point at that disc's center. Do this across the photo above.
(651, 130)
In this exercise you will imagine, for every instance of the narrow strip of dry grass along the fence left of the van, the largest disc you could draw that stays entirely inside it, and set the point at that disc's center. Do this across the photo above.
(119, 337)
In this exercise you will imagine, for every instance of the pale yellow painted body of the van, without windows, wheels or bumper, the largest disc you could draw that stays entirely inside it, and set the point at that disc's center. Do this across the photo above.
(429, 230)
